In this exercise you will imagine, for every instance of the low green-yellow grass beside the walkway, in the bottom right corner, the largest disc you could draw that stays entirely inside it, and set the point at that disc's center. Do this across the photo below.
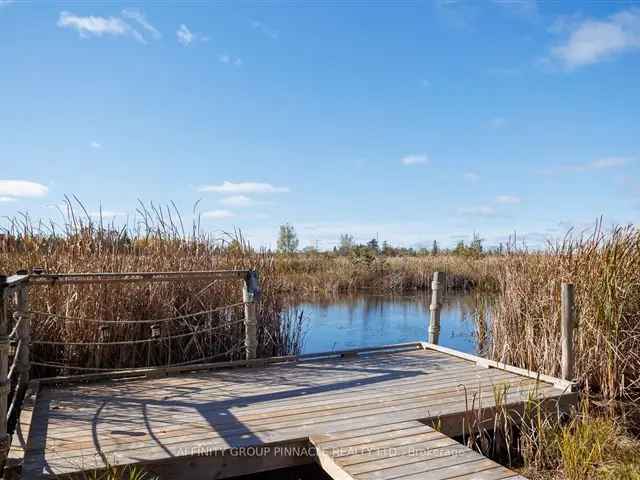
(544, 443)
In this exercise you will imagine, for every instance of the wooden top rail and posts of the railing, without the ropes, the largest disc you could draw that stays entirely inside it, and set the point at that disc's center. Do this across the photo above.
(16, 335)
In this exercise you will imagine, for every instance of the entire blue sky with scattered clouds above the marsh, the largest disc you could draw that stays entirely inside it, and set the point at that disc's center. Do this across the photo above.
(409, 121)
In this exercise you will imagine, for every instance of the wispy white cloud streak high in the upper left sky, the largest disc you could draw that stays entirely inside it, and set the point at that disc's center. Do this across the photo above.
(96, 26)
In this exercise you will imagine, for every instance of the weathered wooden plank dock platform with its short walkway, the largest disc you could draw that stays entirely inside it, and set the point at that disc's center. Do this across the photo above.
(366, 414)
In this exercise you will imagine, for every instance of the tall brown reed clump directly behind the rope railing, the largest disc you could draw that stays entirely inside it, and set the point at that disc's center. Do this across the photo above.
(157, 242)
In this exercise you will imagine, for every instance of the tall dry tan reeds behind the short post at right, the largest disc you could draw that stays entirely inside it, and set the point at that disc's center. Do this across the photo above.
(606, 271)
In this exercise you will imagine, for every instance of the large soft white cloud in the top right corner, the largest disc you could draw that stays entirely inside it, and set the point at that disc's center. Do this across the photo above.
(590, 41)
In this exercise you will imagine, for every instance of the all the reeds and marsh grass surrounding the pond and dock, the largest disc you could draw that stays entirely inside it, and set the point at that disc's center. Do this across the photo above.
(524, 331)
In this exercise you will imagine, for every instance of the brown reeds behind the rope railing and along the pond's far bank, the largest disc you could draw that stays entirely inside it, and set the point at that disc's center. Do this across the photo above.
(159, 240)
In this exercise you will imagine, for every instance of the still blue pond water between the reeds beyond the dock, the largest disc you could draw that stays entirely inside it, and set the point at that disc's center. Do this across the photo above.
(366, 320)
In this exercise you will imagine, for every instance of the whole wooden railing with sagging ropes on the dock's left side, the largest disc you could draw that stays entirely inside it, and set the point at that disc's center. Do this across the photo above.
(14, 379)
